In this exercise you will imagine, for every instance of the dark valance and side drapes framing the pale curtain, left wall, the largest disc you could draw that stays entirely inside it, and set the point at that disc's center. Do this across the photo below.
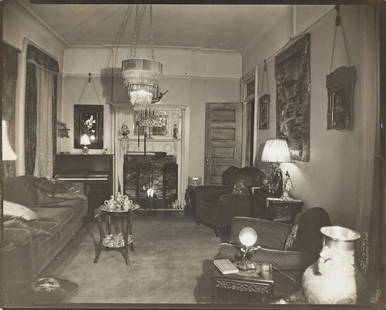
(36, 56)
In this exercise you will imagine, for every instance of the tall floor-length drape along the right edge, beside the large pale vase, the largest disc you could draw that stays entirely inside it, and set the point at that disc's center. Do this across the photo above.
(369, 221)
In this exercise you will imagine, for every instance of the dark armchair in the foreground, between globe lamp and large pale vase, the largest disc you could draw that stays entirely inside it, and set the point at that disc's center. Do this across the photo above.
(290, 249)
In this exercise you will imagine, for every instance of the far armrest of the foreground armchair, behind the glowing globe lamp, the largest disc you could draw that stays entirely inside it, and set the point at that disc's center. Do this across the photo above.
(270, 234)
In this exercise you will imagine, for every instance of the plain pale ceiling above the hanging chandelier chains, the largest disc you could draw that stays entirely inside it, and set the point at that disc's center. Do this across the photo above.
(230, 27)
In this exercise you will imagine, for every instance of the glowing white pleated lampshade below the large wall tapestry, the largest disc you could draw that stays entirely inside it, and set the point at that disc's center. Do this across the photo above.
(276, 151)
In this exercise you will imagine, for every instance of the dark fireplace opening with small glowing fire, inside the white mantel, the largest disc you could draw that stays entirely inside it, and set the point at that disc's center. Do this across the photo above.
(151, 180)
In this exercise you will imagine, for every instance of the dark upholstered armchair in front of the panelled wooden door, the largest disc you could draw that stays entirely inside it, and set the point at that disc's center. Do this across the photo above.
(215, 206)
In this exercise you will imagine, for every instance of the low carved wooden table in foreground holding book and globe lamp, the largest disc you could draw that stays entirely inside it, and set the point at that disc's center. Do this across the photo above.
(243, 287)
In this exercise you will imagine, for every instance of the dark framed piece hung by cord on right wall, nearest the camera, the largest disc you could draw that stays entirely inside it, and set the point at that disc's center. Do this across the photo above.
(340, 89)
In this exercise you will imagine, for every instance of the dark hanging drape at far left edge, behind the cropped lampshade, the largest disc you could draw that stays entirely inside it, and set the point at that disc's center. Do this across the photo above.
(9, 67)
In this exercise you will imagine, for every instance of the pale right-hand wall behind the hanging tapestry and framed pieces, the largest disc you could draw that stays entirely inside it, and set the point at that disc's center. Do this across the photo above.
(330, 178)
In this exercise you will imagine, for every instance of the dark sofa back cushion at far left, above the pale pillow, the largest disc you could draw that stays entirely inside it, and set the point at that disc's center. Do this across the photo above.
(21, 190)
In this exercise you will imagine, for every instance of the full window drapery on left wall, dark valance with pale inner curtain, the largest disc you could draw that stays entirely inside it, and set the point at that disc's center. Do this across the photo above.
(41, 95)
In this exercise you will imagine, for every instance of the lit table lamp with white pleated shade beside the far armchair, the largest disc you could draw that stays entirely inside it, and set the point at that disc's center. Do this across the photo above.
(276, 151)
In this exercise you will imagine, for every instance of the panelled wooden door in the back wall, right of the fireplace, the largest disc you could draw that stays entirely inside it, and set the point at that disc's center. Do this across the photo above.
(223, 139)
